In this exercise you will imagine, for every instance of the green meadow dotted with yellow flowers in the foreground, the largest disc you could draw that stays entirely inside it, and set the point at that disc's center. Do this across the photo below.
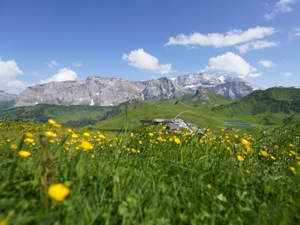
(54, 175)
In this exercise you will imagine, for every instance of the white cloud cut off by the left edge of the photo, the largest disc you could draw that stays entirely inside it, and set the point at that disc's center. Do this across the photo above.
(9, 72)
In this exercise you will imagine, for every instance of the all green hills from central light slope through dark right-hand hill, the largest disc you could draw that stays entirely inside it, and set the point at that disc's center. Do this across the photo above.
(269, 107)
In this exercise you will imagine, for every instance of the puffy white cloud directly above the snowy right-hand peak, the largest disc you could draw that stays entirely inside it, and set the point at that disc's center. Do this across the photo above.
(232, 63)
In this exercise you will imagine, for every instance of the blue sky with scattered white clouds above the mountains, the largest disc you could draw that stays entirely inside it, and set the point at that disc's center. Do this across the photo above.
(44, 41)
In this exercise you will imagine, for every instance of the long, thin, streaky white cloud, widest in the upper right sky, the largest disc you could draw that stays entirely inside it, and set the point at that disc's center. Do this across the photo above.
(218, 40)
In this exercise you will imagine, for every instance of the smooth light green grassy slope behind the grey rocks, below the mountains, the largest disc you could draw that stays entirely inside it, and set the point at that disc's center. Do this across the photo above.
(201, 115)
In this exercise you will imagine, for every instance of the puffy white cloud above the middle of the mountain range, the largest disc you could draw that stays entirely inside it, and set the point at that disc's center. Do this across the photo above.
(140, 59)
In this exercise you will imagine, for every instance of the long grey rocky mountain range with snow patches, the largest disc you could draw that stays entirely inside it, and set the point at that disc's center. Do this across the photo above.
(108, 91)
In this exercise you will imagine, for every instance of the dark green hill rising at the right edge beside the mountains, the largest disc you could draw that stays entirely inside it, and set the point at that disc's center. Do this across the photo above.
(273, 100)
